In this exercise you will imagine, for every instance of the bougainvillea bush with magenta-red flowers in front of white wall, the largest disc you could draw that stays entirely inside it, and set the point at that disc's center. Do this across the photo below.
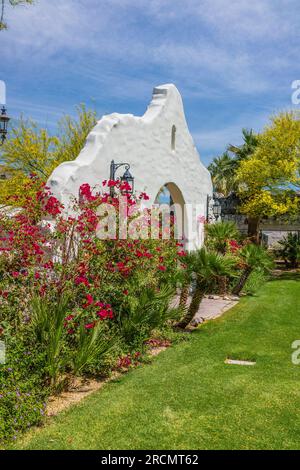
(70, 302)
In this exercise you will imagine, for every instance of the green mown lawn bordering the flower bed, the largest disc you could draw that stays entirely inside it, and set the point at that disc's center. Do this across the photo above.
(189, 399)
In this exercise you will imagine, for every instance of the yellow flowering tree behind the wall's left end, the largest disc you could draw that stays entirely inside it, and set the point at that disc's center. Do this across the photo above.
(31, 150)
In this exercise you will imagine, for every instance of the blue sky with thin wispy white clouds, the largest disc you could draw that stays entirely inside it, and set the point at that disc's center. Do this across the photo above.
(232, 60)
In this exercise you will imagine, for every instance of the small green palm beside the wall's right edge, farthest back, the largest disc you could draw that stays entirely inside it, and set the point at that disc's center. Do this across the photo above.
(218, 234)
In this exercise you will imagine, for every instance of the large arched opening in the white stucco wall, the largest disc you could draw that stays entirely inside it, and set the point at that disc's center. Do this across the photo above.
(170, 195)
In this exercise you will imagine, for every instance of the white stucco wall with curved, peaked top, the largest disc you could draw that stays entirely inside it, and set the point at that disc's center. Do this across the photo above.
(145, 143)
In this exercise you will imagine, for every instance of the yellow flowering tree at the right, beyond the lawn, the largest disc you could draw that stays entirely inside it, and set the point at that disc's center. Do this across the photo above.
(268, 178)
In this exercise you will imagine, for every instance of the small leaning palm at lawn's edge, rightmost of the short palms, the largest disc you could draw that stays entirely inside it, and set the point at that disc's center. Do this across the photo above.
(253, 257)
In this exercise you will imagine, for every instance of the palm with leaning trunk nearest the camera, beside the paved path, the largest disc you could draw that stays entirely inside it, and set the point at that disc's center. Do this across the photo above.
(208, 268)
